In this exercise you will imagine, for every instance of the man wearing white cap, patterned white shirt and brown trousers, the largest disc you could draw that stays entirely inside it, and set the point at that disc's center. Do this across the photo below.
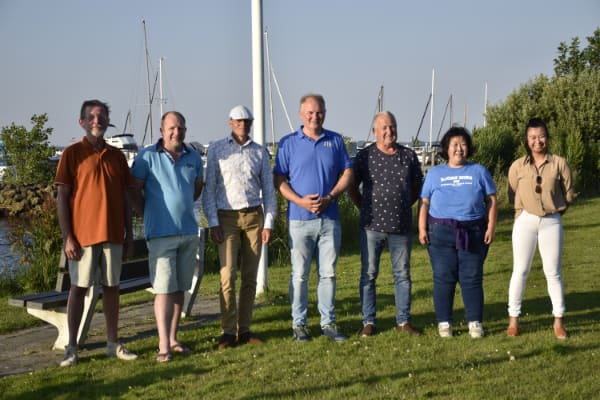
(238, 184)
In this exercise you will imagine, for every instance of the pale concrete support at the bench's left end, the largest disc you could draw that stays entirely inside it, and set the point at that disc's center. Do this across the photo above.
(58, 318)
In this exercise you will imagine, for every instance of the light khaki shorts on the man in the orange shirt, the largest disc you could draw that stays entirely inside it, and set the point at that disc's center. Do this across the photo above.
(99, 264)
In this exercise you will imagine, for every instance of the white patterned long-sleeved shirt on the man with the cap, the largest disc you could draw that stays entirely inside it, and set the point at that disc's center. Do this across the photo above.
(238, 177)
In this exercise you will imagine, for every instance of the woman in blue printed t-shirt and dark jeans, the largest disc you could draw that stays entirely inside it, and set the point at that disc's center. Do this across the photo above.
(457, 219)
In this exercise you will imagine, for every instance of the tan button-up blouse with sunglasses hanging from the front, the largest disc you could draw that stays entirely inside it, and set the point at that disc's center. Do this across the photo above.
(553, 180)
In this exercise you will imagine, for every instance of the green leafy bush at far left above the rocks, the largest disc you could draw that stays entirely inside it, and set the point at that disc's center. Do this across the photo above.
(28, 152)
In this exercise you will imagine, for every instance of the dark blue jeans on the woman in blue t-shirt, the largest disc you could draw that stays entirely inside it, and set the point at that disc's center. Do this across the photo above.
(450, 266)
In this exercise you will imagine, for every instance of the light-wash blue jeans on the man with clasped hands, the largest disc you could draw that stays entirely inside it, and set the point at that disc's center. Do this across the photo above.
(321, 238)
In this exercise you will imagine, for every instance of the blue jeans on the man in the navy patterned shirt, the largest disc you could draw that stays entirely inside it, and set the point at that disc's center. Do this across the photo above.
(371, 247)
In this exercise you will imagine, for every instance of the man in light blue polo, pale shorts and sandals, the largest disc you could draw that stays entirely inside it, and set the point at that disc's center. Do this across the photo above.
(171, 177)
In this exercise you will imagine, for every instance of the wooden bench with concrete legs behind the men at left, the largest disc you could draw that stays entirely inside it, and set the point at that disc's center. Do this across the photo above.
(52, 306)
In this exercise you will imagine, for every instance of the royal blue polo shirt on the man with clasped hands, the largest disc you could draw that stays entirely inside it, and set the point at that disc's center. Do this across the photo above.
(312, 167)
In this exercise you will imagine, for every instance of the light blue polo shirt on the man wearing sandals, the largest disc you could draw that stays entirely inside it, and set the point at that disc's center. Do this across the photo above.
(168, 190)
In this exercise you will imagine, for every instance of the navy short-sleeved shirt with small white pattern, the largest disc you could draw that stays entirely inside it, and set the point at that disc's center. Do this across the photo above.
(387, 182)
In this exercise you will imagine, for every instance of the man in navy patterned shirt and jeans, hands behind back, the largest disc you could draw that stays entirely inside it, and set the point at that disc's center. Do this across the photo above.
(391, 179)
